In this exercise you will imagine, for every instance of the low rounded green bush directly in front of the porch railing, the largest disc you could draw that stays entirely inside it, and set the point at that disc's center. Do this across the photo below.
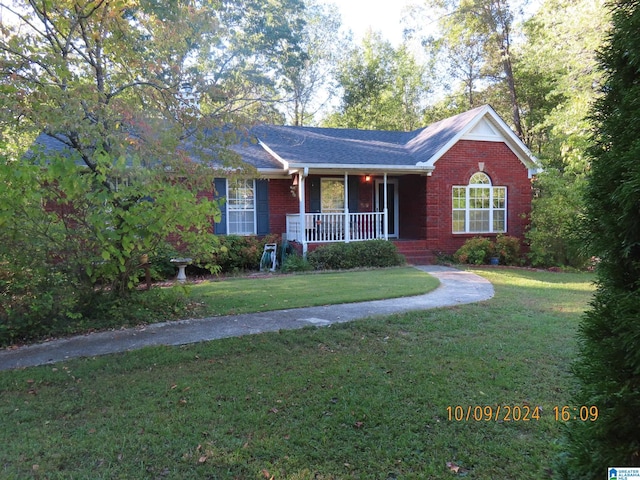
(343, 256)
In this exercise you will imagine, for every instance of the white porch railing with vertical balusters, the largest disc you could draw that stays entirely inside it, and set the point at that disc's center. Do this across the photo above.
(331, 227)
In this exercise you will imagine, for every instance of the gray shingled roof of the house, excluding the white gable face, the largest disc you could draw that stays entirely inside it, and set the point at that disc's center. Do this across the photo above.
(266, 147)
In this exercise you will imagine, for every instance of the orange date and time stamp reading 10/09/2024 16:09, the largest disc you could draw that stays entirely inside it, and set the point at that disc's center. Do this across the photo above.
(519, 413)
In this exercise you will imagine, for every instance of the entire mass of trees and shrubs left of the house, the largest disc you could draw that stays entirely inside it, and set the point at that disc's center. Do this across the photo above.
(128, 115)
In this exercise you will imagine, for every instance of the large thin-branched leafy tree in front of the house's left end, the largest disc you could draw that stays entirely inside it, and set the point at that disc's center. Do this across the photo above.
(124, 87)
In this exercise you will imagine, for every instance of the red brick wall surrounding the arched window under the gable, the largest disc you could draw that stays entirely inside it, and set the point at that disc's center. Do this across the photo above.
(456, 168)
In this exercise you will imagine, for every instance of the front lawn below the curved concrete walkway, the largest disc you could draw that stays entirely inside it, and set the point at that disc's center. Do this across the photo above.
(364, 400)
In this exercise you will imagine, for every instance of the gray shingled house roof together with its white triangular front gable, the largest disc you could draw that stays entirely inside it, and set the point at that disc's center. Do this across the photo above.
(418, 151)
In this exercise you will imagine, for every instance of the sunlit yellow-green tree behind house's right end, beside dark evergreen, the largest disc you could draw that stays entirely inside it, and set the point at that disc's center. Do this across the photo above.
(556, 73)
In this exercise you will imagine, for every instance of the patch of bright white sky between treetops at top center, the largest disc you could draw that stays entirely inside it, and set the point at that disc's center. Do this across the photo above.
(379, 15)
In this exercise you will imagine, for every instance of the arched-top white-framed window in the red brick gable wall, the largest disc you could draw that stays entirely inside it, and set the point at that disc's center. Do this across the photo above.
(479, 207)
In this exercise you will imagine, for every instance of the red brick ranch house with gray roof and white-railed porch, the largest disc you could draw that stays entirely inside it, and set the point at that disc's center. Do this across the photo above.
(428, 190)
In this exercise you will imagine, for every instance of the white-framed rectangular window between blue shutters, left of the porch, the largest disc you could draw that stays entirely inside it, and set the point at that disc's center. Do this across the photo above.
(241, 207)
